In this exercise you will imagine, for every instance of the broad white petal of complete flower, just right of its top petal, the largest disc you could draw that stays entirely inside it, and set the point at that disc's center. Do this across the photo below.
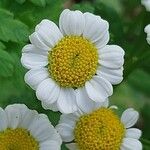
(95, 28)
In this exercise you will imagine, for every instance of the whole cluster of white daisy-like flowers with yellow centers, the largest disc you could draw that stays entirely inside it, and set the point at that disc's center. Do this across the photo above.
(72, 70)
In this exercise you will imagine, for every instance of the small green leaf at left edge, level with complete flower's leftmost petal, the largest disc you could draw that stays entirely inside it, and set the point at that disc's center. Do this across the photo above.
(6, 64)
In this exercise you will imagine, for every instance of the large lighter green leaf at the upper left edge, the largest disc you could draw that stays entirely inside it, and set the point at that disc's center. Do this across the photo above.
(12, 29)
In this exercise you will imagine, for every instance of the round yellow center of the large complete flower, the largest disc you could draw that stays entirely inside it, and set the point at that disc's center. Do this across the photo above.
(73, 61)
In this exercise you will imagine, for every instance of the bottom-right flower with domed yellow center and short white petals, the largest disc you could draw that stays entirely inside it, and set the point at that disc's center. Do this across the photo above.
(100, 128)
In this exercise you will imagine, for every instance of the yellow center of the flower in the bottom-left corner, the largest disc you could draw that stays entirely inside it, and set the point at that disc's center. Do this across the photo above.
(17, 139)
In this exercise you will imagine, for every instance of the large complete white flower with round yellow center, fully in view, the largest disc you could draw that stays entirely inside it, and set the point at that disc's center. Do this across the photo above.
(70, 59)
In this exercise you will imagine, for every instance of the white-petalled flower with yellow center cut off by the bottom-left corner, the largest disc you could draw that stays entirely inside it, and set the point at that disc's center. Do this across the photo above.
(25, 129)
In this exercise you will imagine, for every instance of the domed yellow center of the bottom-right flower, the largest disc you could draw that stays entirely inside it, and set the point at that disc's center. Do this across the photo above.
(100, 130)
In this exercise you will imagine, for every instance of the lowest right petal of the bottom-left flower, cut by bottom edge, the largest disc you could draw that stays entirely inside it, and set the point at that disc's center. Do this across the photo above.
(50, 145)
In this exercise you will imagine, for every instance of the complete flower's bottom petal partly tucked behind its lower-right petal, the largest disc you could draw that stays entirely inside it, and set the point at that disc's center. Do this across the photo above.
(84, 102)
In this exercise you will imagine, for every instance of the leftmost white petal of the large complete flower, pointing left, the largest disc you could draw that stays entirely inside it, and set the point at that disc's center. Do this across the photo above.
(32, 57)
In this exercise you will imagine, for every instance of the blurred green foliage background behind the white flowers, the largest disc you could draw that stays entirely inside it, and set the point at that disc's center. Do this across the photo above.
(127, 20)
